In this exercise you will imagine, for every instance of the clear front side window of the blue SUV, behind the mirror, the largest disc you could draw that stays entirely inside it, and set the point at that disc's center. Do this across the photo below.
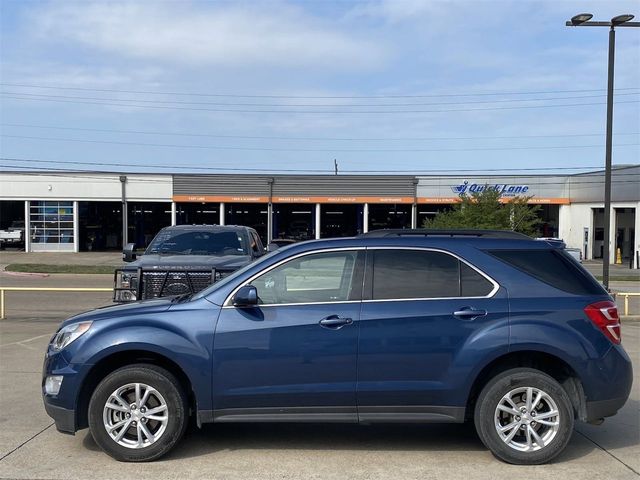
(320, 277)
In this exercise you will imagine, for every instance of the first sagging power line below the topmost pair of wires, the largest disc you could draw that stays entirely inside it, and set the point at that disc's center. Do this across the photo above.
(257, 137)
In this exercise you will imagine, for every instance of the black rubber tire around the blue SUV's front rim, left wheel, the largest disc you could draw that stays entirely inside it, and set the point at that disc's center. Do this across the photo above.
(168, 387)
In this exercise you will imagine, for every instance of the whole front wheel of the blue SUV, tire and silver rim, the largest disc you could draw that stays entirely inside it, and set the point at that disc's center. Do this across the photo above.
(138, 413)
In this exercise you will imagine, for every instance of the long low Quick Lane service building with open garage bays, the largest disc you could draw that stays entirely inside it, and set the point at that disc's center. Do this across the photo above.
(80, 211)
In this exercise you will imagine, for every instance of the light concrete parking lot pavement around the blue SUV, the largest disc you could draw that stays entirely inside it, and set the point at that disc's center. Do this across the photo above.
(30, 447)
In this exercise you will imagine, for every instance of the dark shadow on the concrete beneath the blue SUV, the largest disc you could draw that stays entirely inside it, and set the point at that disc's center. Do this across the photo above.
(327, 437)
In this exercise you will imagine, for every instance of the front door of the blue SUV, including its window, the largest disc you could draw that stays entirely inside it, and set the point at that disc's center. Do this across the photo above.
(293, 356)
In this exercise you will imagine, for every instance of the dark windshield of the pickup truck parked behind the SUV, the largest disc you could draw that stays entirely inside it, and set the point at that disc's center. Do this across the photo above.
(194, 242)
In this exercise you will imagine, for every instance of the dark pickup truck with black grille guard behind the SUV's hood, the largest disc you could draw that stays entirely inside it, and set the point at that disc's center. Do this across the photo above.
(185, 259)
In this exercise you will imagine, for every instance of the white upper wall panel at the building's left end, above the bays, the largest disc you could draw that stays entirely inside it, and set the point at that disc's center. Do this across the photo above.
(82, 186)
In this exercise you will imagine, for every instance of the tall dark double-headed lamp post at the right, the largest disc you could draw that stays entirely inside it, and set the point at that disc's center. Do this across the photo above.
(584, 20)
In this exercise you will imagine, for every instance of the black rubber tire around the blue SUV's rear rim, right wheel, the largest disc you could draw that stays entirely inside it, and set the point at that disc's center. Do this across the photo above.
(485, 417)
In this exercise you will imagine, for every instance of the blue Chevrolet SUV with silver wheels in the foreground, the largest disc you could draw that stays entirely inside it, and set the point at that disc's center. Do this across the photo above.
(391, 326)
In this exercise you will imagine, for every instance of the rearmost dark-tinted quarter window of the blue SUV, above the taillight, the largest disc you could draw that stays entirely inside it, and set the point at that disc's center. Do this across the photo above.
(553, 267)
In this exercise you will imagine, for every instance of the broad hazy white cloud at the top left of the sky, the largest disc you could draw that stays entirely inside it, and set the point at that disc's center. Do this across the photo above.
(252, 35)
